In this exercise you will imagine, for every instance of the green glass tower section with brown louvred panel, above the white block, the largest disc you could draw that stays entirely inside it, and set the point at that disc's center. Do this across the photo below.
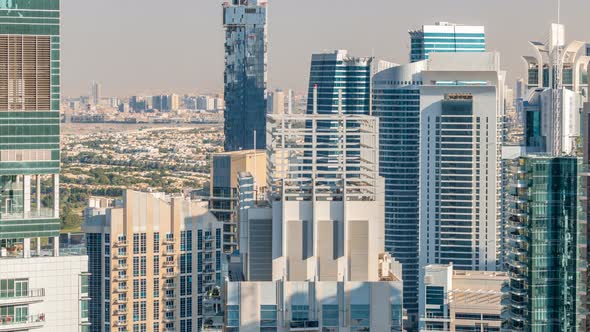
(29, 119)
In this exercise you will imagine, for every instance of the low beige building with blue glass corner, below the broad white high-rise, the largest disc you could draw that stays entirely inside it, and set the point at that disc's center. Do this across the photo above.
(455, 300)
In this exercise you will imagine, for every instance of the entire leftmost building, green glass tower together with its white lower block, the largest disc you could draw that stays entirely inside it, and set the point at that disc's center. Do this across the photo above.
(42, 286)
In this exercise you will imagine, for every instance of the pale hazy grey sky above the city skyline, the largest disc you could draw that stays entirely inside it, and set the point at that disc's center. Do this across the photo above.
(151, 46)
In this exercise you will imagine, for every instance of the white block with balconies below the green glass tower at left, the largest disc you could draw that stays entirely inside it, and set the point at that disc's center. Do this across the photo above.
(53, 298)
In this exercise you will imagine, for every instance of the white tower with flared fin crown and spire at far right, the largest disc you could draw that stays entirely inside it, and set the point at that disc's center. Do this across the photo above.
(556, 90)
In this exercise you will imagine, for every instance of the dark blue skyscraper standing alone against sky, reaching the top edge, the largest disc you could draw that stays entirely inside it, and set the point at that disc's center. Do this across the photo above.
(245, 74)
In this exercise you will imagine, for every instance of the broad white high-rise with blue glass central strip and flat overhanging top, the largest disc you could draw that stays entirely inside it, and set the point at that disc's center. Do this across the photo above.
(461, 112)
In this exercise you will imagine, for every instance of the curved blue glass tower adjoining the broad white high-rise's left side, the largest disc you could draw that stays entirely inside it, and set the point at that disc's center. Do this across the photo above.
(396, 101)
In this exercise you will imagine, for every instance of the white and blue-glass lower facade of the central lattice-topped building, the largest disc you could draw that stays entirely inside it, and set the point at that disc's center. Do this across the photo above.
(324, 306)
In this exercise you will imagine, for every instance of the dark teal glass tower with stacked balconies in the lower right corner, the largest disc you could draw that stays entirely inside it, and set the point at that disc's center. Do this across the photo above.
(547, 256)
